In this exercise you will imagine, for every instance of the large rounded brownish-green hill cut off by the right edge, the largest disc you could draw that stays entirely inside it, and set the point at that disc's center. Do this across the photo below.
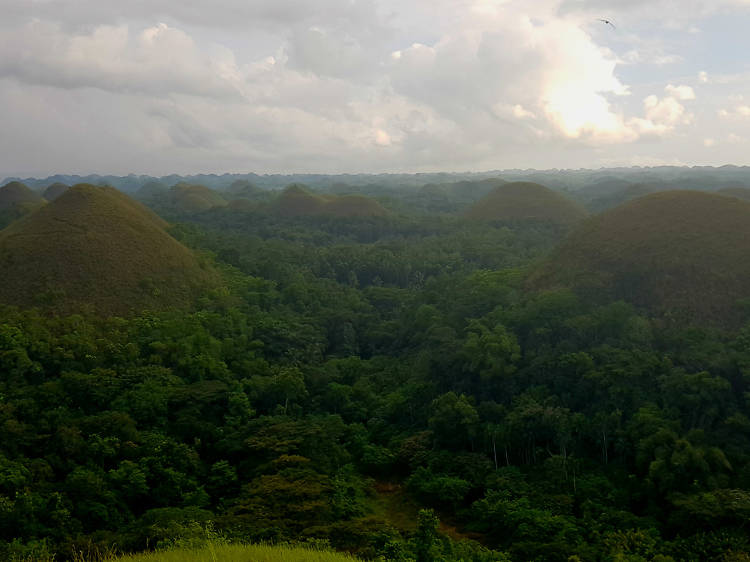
(684, 254)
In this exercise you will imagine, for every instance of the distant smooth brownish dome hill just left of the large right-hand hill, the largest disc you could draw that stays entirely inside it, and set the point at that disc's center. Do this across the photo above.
(526, 201)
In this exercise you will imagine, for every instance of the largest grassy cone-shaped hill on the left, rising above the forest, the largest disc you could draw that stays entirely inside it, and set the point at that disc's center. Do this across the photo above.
(94, 247)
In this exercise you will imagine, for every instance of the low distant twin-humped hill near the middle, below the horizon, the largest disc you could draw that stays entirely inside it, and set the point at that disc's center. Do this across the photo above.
(296, 201)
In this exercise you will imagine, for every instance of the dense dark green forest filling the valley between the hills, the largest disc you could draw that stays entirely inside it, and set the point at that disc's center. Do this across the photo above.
(392, 386)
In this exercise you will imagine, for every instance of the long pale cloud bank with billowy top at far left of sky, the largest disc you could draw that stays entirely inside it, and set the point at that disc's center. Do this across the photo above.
(155, 60)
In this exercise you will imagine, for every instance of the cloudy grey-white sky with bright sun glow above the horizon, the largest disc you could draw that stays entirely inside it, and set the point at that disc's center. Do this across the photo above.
(349, 86)
